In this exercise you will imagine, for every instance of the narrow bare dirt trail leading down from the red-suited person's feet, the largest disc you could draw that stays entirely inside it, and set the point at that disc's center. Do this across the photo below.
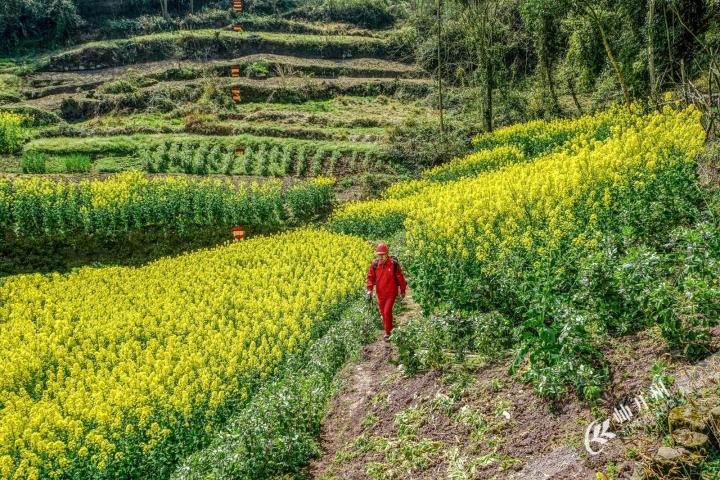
(362, 382)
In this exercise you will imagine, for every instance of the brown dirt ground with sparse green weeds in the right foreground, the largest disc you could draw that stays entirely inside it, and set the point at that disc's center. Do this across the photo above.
(473, 421)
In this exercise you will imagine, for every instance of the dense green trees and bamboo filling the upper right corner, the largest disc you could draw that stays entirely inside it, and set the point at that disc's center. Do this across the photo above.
(518, 60)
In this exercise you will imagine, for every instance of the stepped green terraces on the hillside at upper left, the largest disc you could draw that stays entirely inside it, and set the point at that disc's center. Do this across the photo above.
(289, 98)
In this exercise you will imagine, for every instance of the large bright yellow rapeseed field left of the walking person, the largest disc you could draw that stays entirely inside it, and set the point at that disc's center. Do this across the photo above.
(107, 369)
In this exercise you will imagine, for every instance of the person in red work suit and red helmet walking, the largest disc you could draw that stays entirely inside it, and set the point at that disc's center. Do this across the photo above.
(386, 276)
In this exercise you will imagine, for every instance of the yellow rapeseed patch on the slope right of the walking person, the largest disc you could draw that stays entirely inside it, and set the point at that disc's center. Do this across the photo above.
(526, 216)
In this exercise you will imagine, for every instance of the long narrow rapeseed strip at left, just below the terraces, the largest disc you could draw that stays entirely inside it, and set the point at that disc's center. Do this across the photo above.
(33, 207)
